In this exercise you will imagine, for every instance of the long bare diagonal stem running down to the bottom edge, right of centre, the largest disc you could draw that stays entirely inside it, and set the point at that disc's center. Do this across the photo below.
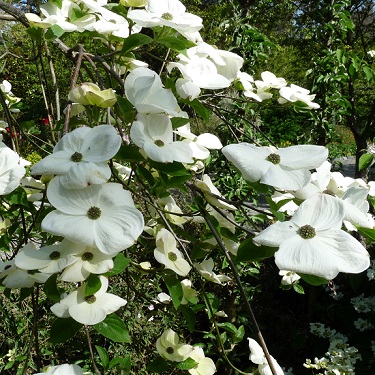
(242, 291)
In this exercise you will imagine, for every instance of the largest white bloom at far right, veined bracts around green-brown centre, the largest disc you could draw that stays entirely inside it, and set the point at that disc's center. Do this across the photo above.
(313, 243)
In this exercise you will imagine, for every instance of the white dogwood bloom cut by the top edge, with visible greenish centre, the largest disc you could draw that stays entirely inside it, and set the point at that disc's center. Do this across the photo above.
(170, 13)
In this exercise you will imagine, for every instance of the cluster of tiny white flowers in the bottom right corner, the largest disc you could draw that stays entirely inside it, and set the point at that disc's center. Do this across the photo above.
(340, 358)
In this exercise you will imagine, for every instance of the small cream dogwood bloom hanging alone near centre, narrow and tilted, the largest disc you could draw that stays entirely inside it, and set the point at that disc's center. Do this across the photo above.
(167, 253)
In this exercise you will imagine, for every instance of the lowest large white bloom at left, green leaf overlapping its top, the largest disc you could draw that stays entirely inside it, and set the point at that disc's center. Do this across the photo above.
(90, 309)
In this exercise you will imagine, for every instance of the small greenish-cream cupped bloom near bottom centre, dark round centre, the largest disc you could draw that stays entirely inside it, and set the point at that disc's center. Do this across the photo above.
(169, 347)
